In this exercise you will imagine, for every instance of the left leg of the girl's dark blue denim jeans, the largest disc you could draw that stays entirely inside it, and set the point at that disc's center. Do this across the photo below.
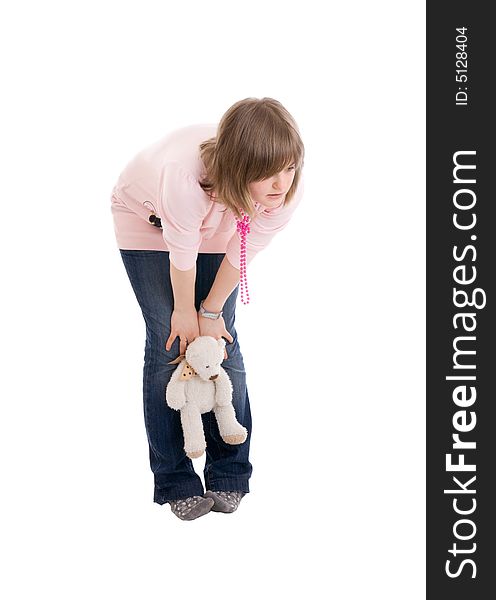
(174, 474)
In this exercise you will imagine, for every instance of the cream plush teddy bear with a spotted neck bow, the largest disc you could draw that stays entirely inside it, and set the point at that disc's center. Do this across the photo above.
(198, 385)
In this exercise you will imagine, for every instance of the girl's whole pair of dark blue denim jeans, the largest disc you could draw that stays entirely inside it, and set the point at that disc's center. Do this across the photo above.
(227, 466)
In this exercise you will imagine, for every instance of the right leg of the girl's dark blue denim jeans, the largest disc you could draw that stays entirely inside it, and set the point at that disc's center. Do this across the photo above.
(227, 466)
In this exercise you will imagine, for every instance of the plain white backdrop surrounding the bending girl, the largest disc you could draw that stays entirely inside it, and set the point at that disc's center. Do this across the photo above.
(333, 338)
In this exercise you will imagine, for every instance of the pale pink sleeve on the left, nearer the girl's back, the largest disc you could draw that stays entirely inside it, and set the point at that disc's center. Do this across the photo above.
(183, 207)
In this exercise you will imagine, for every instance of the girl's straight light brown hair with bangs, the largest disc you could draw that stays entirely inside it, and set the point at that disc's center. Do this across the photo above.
(256, 138)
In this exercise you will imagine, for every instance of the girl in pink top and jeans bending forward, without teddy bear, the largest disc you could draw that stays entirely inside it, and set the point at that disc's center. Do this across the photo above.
(190, 213)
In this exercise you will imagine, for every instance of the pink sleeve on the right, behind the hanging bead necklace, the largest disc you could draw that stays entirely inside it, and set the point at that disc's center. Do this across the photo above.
(263, 228)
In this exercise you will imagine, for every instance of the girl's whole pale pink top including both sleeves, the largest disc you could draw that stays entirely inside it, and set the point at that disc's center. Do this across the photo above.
(163, 179)
